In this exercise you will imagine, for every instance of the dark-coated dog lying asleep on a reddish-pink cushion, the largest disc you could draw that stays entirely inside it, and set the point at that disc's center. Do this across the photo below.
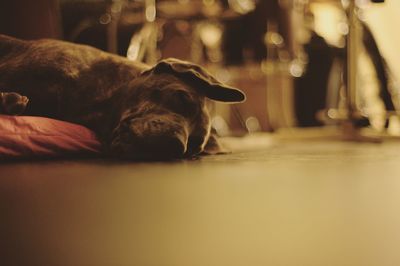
(137, 111)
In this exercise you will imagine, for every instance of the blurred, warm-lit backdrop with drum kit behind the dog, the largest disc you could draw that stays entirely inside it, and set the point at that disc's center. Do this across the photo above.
(291, 57)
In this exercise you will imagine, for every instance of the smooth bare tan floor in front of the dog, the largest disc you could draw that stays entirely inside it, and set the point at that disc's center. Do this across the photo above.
(273, 201)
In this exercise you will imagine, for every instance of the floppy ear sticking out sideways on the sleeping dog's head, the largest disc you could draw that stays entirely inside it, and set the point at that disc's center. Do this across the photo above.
(200, 79)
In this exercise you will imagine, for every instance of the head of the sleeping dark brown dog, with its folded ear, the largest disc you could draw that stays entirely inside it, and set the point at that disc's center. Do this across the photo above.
(166, 113)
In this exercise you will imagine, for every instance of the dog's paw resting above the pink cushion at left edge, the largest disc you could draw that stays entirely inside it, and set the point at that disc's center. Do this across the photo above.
(12, 103)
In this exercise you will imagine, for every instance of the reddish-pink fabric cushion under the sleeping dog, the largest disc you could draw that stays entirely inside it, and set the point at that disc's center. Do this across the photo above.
(27, 136)
